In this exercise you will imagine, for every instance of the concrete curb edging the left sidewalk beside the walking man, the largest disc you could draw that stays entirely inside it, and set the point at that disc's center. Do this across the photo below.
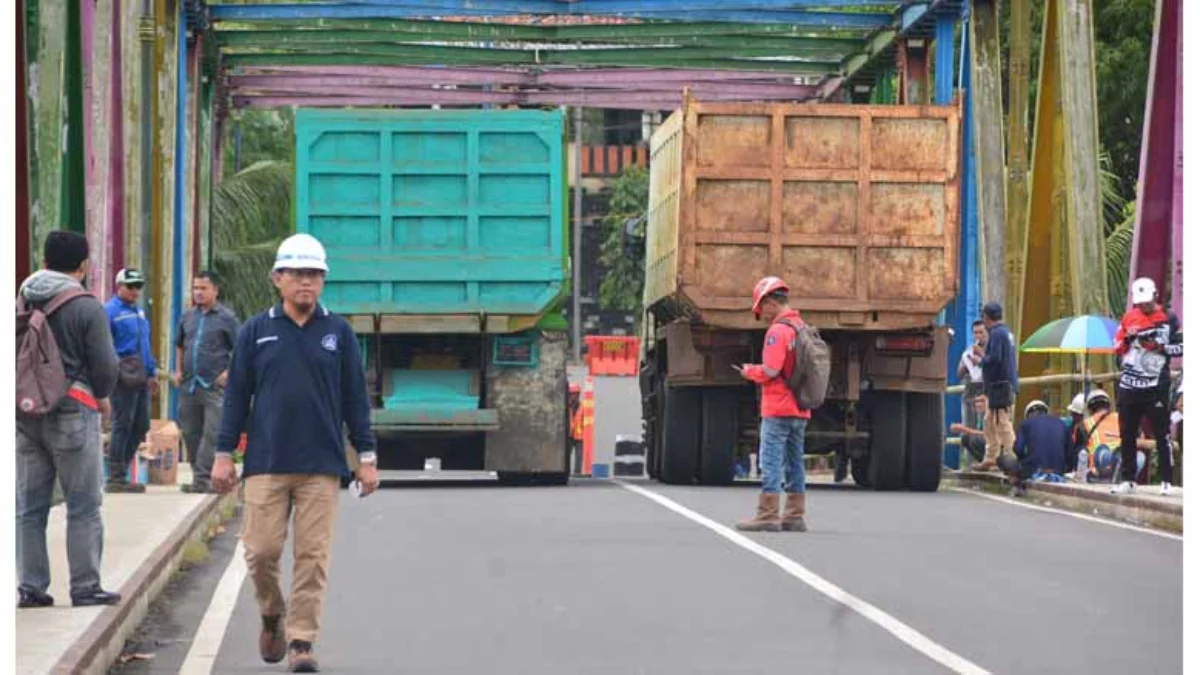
(101, 644)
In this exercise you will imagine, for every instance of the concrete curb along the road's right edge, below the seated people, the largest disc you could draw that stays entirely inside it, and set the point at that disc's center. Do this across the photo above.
(1126, 509)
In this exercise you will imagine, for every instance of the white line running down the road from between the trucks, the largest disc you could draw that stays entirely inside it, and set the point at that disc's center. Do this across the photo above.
(902, 631)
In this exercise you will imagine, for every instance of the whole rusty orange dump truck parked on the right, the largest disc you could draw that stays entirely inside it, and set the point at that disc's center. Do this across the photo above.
(857, 208)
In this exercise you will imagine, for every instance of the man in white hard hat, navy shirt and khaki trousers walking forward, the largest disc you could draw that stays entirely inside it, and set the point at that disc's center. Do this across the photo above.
(303, 368)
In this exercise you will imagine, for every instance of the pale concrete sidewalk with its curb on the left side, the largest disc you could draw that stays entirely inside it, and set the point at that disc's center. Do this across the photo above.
(146, 537)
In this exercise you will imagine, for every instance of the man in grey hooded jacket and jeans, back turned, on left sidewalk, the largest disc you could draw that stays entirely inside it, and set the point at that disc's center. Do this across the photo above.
(65, 445)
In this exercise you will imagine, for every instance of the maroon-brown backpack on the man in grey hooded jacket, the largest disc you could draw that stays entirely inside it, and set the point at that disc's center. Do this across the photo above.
(41, 379)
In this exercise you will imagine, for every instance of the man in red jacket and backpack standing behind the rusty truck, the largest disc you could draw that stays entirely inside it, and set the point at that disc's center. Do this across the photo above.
(795, 374)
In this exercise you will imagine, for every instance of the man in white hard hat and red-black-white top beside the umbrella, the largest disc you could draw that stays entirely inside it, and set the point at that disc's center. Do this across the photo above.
(1147, 342)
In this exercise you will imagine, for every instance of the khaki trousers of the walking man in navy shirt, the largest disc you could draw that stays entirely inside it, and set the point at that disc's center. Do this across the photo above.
(271, 501)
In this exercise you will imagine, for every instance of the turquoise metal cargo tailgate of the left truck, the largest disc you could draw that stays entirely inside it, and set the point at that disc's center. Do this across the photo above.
(435, 212)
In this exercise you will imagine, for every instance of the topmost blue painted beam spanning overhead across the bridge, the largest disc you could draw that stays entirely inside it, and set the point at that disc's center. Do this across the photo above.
(847, 21)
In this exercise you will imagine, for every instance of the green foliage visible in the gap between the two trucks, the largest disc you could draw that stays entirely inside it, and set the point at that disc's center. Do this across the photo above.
(623, 255)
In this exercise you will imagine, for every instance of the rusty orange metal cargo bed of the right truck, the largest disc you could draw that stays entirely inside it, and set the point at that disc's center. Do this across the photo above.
(856, 206)
